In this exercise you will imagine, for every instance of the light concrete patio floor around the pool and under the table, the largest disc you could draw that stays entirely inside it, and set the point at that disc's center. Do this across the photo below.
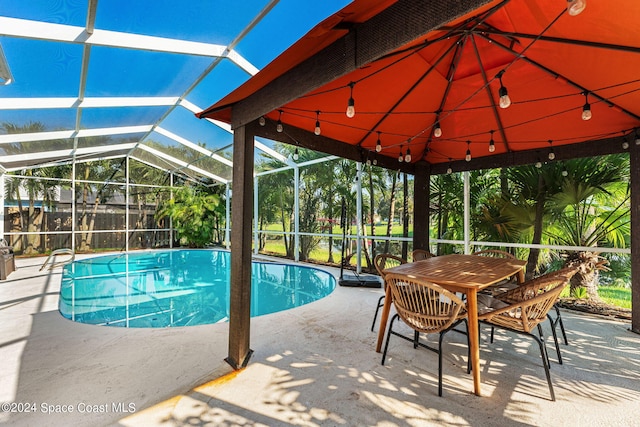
(312, 366)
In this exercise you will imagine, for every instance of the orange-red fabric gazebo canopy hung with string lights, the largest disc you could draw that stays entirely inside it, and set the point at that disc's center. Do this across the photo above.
(437, 98)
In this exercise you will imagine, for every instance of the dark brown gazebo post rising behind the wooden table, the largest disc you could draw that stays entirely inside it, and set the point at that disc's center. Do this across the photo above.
(421, 193)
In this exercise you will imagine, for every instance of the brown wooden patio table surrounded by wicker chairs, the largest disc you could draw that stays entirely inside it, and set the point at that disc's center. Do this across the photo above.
(458, 273)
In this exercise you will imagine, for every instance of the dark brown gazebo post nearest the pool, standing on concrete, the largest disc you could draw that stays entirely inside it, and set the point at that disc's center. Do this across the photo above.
(241, 215)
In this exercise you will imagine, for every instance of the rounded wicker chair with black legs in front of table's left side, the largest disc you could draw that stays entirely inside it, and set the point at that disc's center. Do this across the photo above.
(426, 308)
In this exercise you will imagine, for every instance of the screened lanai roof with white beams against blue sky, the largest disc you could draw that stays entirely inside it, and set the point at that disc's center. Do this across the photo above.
(114, 78)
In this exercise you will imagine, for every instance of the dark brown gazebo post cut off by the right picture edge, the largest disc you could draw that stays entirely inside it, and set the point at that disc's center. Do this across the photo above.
(634, 166)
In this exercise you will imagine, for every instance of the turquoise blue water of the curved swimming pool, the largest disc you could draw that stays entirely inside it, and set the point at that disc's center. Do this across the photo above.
(178, 288)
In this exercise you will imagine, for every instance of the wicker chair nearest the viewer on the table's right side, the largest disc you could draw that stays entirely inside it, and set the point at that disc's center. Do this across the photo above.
(524, 310)
